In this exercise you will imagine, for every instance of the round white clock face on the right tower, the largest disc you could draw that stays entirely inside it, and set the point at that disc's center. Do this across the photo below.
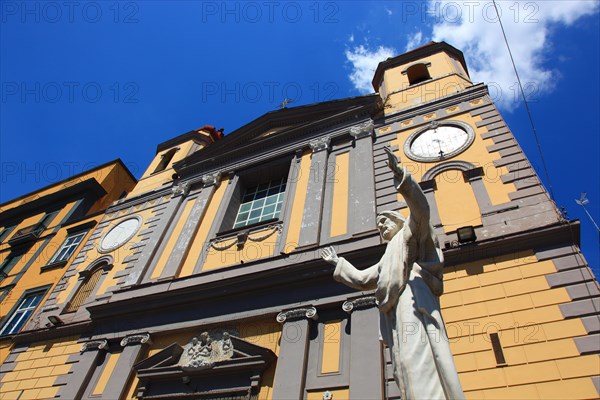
(438, 142)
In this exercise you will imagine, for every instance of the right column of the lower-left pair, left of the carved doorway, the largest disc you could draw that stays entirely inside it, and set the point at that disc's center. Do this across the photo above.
(133, 345)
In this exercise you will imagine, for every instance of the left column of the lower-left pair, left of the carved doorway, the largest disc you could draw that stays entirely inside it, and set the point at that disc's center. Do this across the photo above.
(83, 369)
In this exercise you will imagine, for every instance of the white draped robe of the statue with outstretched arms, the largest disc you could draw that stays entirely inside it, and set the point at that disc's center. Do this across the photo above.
(408, 283)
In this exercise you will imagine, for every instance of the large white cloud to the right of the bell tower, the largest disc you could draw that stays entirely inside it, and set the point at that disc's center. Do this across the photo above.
(473, 28)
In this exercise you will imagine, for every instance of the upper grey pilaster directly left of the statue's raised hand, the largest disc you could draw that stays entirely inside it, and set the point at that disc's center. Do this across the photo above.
(362, 180)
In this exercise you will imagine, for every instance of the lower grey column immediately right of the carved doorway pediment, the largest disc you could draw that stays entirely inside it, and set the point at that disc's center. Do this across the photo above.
(290, 372)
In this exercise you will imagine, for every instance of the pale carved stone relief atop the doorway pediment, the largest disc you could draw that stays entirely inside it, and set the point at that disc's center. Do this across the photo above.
(203, 351)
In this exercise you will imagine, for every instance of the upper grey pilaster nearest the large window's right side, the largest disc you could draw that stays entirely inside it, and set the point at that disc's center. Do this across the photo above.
(311, 219)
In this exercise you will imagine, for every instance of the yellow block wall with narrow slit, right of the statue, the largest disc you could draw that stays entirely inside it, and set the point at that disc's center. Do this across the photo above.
(510, 295)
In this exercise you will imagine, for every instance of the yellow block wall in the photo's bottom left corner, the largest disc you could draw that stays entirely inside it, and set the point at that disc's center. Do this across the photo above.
(37, 369)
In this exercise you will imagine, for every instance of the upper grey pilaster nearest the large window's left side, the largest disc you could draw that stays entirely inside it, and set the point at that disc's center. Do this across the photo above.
(191, 227)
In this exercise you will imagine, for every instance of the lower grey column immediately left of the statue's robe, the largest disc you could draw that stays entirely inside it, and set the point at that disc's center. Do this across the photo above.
(366, 376)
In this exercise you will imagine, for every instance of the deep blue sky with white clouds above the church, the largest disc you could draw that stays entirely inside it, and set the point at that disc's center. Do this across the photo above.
(87, 82)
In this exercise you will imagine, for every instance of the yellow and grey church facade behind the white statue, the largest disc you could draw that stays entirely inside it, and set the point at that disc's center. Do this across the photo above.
(205, 280)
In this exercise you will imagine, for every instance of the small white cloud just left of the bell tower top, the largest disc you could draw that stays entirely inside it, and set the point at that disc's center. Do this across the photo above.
(364, 62)
